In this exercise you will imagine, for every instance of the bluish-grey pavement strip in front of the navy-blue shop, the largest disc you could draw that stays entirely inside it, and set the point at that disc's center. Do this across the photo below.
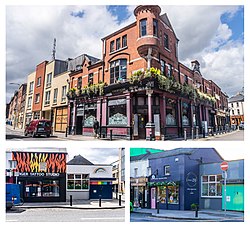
(210, 215)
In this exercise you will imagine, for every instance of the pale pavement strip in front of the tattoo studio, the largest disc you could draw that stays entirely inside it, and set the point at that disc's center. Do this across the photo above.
(77, 204)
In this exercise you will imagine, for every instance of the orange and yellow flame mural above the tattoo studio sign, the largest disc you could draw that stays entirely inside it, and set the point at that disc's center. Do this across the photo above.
(40, 162)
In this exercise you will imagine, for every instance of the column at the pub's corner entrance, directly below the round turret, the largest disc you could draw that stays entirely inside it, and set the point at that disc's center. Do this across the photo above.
(150, 127)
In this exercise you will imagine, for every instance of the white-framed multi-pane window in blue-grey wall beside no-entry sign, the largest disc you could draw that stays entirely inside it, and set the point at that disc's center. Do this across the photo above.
(211, 185)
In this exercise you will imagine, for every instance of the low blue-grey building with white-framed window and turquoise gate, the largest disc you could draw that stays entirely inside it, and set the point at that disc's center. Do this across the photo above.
(212, 186)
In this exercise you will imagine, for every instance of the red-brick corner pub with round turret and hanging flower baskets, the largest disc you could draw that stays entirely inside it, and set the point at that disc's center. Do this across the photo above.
(139, 89)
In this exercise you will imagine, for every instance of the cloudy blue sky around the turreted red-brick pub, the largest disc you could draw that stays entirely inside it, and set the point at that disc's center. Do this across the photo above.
(213, 35)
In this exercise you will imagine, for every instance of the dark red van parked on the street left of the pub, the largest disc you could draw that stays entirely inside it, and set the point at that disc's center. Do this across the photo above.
(38, 127)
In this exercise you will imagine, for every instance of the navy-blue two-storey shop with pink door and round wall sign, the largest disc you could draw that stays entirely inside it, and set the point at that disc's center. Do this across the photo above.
(174, 181)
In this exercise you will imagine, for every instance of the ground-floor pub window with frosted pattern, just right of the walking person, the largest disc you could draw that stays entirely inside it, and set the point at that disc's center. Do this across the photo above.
(117, 112)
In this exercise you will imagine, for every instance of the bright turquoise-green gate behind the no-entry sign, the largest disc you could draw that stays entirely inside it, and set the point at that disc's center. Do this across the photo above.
(235, 197)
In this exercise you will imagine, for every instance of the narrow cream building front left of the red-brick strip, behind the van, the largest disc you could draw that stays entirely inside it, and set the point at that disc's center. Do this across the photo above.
(29, 97)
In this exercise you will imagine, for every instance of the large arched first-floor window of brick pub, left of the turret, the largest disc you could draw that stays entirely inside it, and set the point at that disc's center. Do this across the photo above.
(118, 70)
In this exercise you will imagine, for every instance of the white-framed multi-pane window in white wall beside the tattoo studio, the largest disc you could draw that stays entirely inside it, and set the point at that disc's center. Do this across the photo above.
(77, 181)
